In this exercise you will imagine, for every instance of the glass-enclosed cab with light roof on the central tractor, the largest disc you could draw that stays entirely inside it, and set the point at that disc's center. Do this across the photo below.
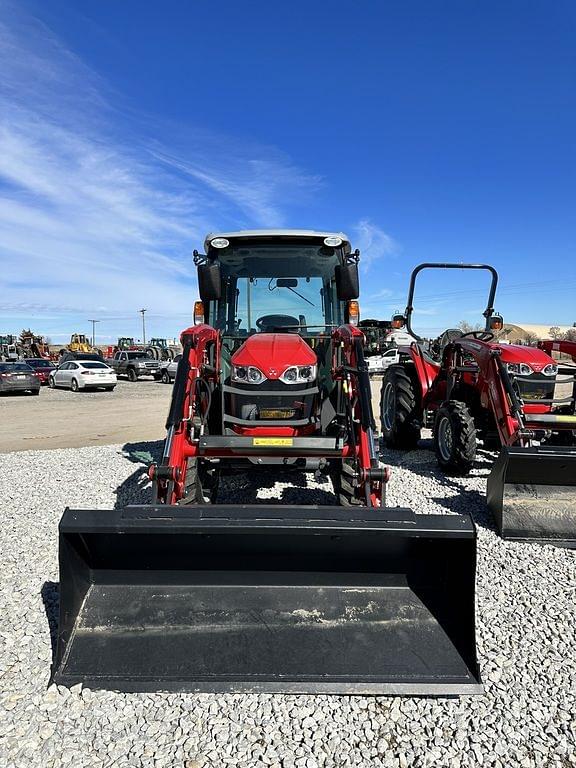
(268, 283)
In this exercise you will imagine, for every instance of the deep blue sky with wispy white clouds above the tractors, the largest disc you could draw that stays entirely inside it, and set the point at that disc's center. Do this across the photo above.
(426, 131)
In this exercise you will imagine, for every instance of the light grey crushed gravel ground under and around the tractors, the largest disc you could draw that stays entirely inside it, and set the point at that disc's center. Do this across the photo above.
(526, 643)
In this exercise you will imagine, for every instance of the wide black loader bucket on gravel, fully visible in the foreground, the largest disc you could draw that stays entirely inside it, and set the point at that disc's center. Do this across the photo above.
(267, 599)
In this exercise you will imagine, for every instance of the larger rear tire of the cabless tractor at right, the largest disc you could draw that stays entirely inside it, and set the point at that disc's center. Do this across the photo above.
(399, 411)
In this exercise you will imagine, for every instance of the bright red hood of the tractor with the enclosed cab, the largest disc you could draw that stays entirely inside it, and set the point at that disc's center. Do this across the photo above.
(272, 353)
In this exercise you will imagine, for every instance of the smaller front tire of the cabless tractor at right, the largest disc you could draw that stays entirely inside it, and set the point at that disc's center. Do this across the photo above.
(455, 438)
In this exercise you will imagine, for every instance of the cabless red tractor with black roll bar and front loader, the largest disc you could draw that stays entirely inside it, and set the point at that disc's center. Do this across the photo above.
(469, 387)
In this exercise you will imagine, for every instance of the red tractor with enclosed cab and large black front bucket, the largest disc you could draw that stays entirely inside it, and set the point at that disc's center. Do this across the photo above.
(191, 594)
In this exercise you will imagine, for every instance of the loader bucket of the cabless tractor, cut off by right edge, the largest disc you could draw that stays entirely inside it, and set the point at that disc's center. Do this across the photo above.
(532, 494)
